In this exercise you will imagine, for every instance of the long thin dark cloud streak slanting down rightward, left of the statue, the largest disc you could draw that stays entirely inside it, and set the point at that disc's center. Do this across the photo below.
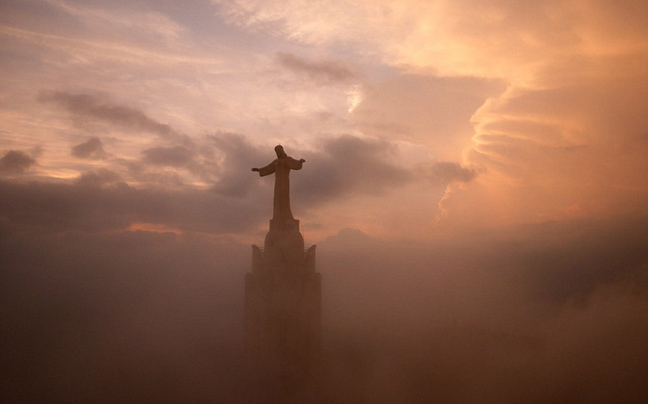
(99, 108)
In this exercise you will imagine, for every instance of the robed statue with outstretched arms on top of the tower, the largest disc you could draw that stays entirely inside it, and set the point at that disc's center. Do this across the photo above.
(281, 168)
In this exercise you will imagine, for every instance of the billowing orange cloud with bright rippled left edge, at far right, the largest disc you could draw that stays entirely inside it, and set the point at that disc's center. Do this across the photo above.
(567, 150)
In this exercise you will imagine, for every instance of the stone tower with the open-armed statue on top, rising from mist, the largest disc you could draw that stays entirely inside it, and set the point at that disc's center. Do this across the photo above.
(283, 290)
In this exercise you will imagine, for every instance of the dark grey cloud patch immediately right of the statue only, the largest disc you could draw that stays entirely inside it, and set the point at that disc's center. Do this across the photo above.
(348, 165)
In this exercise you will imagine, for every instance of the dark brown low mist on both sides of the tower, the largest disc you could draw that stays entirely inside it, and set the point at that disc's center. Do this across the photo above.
(547, 313)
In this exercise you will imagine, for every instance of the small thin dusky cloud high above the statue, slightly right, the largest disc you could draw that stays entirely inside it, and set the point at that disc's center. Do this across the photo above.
(319, 71)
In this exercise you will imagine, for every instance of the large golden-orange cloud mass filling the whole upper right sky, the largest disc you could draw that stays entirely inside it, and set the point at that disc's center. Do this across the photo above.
(546, 96)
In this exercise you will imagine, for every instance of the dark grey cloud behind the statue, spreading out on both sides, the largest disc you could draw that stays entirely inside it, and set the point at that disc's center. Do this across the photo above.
(342, 166)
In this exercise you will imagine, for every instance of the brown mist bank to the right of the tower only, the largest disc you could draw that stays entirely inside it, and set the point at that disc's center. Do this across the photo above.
(427, 317)
